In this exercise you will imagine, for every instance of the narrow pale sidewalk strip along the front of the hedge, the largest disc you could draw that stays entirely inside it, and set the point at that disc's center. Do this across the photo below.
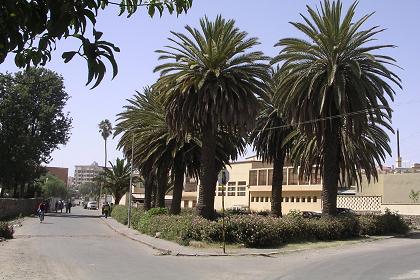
(165, 247)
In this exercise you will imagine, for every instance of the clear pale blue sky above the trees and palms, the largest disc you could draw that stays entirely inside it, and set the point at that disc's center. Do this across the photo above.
(139, 36)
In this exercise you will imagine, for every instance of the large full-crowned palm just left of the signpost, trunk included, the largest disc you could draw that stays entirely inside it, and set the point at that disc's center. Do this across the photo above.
(211, 80)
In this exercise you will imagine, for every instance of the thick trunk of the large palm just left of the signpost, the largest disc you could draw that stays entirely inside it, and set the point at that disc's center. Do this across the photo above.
(208, 176)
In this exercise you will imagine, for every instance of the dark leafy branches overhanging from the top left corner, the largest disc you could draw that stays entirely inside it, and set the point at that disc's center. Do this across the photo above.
(31, 29)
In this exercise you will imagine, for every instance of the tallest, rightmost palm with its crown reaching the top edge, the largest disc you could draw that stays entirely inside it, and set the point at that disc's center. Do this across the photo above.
(335, 83)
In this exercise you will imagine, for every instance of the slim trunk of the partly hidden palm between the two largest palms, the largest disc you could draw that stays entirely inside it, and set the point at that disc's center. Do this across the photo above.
(277, 185)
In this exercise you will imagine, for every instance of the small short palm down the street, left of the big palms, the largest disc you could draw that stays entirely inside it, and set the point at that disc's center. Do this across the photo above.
(117, 178)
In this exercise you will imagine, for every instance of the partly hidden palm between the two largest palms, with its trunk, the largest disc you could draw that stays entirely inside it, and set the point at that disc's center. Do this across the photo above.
(268, 138)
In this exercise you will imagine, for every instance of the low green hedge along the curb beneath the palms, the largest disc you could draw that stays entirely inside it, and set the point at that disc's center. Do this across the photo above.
(259, 231)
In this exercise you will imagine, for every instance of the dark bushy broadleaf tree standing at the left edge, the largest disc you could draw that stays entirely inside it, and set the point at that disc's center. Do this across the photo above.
(32, 125)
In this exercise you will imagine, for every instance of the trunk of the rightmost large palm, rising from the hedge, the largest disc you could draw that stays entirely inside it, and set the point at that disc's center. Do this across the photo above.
(331, 168)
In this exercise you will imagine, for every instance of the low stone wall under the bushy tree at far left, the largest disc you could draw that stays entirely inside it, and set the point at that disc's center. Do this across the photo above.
(12, 207)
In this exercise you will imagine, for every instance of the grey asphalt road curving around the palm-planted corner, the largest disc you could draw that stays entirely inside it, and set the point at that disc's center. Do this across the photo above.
(81, 246)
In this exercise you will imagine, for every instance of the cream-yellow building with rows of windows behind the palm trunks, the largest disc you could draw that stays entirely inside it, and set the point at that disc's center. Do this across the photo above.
(249, 187)
